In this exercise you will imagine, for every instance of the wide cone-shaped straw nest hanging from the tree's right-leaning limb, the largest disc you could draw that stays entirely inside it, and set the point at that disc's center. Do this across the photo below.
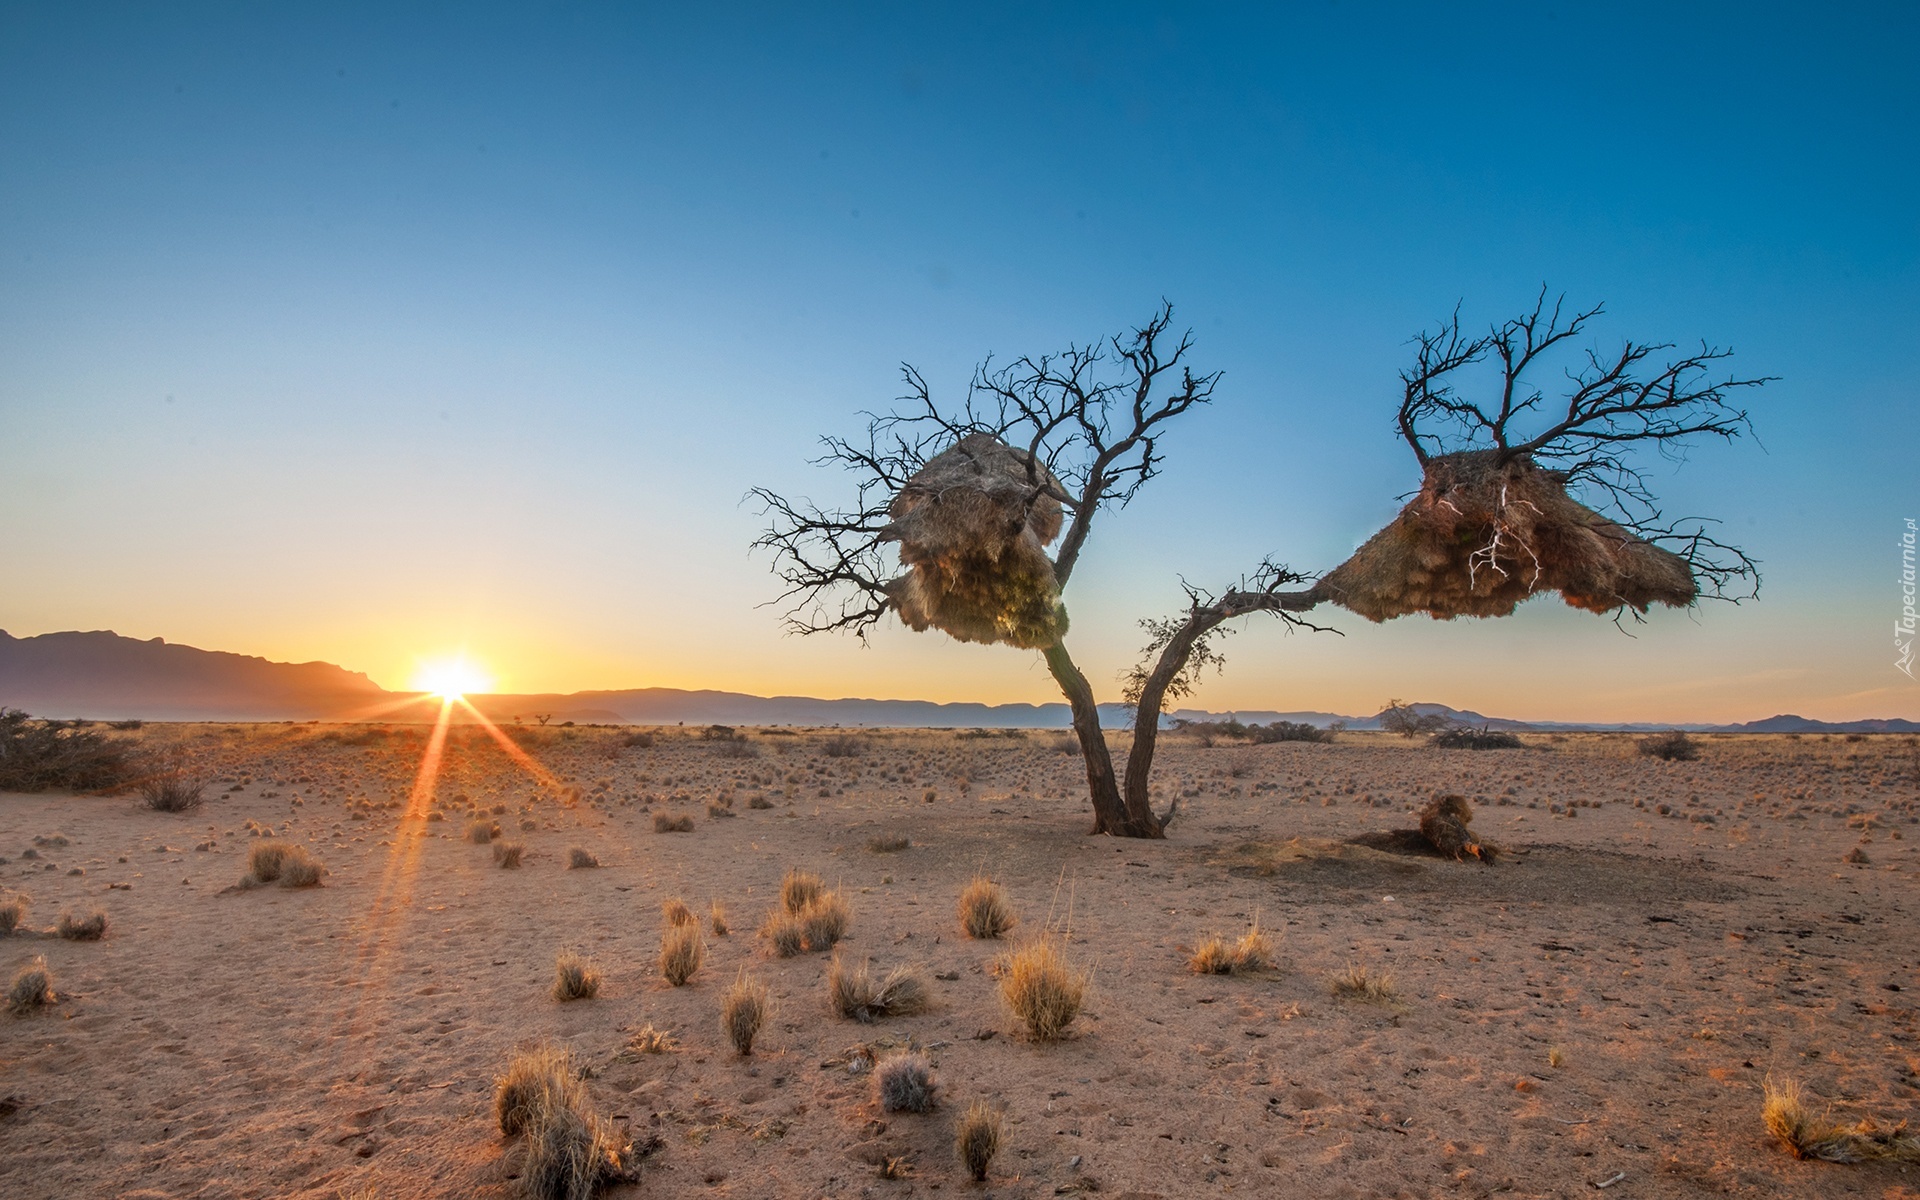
(1483, 535)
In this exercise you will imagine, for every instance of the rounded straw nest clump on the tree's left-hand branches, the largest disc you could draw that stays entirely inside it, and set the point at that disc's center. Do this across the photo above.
(972, 529)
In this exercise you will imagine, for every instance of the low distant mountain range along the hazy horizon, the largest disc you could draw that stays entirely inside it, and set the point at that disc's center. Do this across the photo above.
(103, 675)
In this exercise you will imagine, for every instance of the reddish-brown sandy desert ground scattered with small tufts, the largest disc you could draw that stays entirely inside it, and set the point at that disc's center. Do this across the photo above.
(1602, 1005)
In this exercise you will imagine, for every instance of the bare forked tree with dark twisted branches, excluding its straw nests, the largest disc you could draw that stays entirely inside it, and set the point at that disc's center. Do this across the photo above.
(1090, 423)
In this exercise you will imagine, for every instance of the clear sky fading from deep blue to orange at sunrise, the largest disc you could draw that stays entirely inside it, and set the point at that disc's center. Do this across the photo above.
(373, 335)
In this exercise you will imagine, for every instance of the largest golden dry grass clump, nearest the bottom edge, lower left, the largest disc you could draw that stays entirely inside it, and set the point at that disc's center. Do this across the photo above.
(569, 1151)
